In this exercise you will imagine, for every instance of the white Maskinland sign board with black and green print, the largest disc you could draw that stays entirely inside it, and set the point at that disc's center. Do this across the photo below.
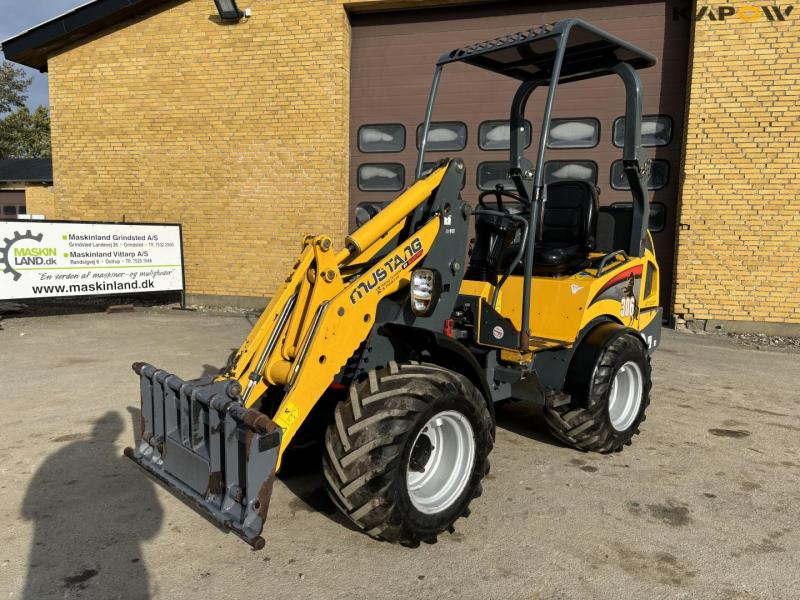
(46, 259)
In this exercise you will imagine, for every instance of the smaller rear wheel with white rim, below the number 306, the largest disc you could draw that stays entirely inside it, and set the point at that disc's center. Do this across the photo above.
(604, 414)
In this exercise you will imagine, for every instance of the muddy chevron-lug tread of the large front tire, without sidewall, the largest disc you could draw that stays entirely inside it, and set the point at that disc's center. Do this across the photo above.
(367, 437)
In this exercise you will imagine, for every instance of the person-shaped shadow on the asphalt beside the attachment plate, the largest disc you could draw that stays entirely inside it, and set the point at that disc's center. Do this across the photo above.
(90, 510)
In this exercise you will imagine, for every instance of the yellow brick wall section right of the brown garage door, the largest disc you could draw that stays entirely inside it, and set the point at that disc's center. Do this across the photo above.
(739, 239)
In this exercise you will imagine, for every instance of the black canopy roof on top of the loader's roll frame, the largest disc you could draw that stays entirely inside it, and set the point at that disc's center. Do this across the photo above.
(531, 54)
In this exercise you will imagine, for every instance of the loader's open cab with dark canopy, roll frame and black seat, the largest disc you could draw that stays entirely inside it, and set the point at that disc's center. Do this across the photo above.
(553, 229)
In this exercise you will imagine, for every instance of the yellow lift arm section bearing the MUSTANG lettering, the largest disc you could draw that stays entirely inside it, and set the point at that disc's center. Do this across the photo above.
(340, 316)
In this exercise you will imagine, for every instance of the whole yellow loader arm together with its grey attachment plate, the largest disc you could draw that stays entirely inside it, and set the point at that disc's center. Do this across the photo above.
(209, 441)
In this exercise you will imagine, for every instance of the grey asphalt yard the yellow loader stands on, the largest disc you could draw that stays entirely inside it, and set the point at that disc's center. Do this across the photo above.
(704, 504)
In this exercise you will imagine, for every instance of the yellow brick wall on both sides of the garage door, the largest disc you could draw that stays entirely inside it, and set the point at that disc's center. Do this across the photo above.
(240, 133)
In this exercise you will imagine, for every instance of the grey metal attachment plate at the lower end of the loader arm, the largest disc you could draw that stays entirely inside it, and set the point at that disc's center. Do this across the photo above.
(204, 446)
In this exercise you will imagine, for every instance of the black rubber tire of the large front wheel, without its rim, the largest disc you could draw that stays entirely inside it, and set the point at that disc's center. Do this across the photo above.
(368, 448)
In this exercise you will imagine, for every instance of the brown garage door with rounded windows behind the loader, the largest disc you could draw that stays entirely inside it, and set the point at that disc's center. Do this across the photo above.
(393, 56)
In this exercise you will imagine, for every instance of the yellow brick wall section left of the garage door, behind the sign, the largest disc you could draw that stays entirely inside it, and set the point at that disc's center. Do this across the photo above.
(239, 132)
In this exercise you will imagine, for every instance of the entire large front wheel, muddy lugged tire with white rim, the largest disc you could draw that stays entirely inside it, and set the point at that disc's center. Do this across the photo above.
(407, 450)
